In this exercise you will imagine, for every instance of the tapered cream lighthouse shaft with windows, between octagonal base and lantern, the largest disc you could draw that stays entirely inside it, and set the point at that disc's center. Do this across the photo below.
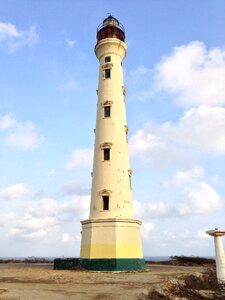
(111, 170)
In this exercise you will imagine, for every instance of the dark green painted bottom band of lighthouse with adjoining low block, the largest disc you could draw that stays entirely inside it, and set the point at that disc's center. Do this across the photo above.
(103, 264)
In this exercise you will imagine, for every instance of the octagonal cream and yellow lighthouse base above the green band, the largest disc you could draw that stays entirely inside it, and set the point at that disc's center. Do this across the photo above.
(111, 239)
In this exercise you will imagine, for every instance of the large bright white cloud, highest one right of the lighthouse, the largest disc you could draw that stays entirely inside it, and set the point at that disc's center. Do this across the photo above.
(191, 73)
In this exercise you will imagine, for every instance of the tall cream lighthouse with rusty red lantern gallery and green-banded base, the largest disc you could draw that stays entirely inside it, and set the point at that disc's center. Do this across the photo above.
(111, 236)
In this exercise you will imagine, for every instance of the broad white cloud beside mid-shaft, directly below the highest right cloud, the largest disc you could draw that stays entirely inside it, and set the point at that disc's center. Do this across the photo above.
(199, 130)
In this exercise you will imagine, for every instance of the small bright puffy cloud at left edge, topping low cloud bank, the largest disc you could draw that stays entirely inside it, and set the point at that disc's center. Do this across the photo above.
(15, 192)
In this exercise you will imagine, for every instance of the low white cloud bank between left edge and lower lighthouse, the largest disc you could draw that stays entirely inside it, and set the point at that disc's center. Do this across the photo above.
(43, 217)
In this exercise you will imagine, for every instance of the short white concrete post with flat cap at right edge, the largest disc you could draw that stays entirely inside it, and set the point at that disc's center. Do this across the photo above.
(220, 256)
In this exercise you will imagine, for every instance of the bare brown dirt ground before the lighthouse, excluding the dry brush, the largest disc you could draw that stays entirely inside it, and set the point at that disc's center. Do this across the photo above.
(41, 282)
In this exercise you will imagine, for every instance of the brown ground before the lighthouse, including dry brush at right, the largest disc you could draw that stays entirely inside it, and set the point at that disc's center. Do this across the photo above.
(26, 281)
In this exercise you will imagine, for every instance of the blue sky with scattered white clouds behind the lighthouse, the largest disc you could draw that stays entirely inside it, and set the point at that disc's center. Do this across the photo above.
(175, 79)
